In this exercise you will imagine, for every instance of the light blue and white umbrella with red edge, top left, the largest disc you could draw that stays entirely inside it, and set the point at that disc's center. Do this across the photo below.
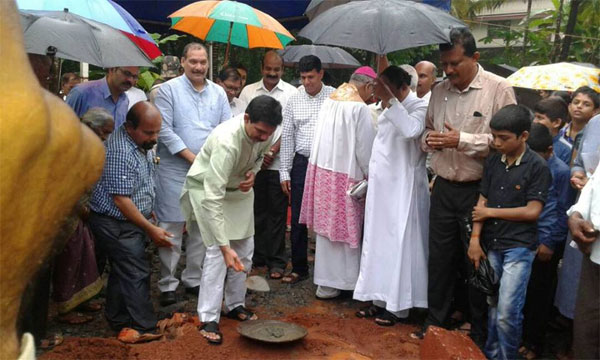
(103, 11)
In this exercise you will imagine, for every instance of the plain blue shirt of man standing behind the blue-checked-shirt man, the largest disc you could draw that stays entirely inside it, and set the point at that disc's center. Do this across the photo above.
(97, 94)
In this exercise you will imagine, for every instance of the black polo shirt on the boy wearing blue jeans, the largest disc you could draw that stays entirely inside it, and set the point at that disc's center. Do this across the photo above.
(509, 187)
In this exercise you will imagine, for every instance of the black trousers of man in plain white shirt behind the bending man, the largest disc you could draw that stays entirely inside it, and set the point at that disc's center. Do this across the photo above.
(270, 215)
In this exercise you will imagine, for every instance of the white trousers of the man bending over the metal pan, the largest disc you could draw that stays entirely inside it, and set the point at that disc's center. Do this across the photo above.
(217, 280)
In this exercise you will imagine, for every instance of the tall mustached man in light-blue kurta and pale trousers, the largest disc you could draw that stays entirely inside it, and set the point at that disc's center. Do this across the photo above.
(191, 107)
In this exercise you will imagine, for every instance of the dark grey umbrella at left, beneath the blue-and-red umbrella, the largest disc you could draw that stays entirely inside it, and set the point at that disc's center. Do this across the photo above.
(79, 39)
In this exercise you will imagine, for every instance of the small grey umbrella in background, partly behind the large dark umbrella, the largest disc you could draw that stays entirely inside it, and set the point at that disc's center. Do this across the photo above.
(331, 57)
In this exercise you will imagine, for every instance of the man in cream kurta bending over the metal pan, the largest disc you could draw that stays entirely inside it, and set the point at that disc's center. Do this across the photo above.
(217, 201)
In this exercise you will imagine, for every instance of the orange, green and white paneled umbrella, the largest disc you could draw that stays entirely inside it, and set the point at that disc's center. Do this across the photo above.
(231, 22)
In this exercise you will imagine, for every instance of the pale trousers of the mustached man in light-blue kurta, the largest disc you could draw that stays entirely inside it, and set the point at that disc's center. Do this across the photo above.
(169, 257)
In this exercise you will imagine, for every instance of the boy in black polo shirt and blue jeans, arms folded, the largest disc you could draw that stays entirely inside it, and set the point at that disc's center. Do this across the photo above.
(513, 191)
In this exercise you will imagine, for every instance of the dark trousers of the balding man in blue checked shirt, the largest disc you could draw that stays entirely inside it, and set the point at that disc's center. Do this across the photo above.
(128, 302)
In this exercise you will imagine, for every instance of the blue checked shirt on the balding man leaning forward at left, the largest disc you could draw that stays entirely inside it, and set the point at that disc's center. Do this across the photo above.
(127, 171)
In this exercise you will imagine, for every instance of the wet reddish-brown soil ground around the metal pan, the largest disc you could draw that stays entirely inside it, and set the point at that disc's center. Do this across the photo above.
(333, 331)
